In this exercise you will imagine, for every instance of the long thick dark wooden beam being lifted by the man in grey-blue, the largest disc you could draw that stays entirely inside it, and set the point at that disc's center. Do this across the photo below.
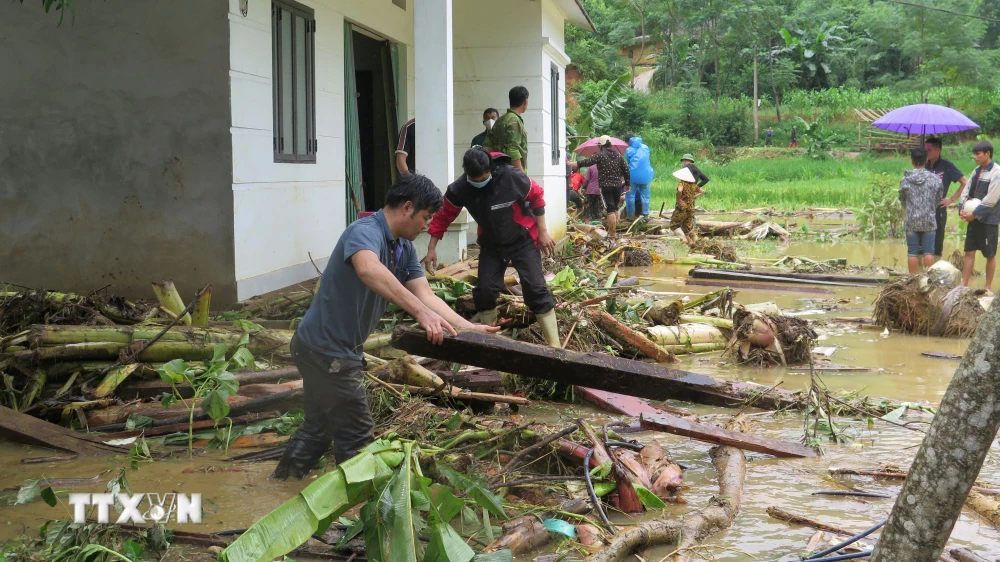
(596, 370)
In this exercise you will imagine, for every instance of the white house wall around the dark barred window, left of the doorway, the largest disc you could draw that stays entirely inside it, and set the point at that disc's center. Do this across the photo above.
(285, 212)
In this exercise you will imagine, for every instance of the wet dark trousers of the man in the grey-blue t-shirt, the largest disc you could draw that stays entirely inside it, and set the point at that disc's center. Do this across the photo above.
(336, 406)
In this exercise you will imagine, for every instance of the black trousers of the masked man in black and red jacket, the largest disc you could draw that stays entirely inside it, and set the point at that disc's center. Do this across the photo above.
(527, 260)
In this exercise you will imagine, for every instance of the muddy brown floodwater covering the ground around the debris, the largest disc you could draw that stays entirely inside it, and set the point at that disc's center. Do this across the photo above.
(234, 500)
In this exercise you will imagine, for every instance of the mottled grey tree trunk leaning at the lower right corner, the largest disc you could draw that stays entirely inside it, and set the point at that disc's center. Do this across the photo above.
(951, 455)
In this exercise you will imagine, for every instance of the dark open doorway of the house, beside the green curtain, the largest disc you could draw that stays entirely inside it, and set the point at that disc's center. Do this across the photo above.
(376, 106)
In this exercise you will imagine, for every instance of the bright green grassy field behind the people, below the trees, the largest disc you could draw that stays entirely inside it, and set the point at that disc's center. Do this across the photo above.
(791, 182)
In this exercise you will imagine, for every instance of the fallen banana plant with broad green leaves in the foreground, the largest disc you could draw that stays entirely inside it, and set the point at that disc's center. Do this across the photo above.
(401, 507)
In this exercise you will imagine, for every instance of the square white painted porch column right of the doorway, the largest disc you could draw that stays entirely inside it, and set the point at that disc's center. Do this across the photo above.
(434, 111)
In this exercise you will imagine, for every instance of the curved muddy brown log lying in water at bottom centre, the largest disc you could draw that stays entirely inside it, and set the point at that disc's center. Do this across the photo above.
(730, 463)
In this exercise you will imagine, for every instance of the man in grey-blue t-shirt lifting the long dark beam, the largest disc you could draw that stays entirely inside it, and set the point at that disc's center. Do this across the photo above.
(374, 263)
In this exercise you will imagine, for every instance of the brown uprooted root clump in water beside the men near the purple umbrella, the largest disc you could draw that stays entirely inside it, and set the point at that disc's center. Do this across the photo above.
(932, 303)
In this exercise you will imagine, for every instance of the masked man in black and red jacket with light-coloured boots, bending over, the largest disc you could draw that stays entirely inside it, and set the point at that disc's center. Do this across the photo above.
(510, 210)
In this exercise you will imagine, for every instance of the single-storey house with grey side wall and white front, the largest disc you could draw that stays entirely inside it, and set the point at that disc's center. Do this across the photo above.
(226, 141)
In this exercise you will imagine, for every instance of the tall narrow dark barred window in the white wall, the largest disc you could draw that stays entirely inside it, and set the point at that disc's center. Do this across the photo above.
(293, 31)
